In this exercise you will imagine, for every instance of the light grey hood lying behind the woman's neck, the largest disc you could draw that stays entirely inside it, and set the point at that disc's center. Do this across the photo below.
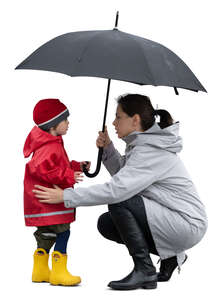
(167, 138)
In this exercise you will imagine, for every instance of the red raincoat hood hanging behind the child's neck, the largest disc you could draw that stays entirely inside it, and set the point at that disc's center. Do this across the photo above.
(37, 138)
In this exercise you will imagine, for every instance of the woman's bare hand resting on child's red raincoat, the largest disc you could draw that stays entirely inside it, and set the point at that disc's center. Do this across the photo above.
(49, 195)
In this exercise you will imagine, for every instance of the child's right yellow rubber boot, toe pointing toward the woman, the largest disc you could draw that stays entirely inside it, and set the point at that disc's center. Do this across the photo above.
(59, 274)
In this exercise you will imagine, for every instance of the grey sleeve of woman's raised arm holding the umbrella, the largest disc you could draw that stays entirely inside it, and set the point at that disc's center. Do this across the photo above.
(112, 159)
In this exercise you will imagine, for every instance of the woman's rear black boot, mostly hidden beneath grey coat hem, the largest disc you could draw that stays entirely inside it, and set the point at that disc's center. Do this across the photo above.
(167, 267)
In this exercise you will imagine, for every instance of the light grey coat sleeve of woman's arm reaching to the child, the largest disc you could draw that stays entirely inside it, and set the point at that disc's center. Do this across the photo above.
(131, 180)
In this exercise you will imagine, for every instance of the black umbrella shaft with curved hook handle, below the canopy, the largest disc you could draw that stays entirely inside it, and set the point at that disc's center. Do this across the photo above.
(100, 152)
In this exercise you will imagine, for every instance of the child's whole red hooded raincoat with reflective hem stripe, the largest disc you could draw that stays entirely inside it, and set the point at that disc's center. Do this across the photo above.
(49, 165)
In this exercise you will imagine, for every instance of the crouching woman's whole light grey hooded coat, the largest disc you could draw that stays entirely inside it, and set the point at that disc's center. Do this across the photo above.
(152, 169)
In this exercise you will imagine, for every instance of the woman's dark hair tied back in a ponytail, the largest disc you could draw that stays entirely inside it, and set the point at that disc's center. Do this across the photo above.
(133, 104)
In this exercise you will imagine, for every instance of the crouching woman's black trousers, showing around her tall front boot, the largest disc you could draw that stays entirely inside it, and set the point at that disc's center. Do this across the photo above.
(136, 207)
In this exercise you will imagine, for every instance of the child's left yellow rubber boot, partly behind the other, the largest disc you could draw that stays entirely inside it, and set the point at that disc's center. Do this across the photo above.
(40, 272)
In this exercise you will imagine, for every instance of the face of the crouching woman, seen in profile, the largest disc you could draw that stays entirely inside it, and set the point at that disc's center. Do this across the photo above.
(123, 123)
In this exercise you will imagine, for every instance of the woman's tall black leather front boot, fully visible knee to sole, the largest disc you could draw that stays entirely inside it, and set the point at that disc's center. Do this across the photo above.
(144, 273)
